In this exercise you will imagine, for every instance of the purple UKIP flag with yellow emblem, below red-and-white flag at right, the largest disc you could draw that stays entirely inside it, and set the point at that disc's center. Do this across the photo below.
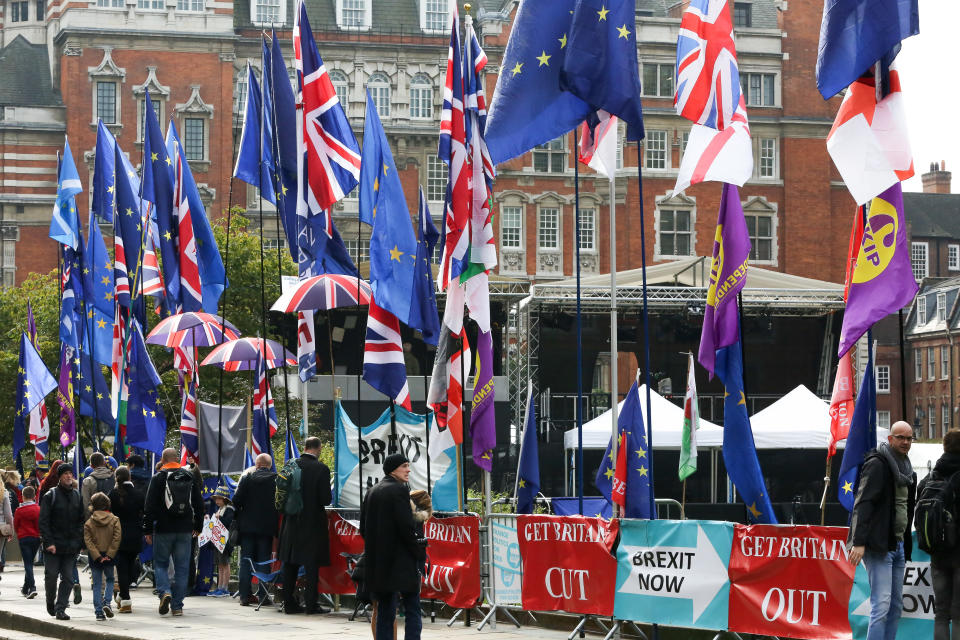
(882, 281)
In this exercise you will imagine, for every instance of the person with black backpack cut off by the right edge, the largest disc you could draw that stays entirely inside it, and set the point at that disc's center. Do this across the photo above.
(938, 505)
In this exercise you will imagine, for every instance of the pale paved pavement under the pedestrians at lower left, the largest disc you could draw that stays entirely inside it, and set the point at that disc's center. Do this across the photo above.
(203, 617)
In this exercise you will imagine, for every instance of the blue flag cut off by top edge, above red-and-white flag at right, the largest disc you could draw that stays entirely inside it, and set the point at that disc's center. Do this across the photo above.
(855, 34)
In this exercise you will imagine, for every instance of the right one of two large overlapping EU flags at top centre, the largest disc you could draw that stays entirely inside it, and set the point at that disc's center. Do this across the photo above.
(600, 65)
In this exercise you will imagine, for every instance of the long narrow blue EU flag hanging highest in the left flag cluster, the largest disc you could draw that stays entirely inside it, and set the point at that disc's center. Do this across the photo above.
(158, 182)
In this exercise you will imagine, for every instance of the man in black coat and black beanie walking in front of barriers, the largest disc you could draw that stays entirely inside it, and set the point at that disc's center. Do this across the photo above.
(392, 550)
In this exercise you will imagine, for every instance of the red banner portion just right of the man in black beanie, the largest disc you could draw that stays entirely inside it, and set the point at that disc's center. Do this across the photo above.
(453, 561)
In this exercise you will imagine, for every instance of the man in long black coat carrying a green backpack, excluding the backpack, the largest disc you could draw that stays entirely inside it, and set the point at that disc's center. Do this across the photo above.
(304, 541)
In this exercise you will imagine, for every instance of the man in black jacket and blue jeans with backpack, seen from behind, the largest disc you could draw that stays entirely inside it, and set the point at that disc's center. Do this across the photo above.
(172, 515)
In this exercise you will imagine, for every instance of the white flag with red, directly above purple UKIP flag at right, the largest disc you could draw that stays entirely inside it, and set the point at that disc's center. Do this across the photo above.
(869, 142)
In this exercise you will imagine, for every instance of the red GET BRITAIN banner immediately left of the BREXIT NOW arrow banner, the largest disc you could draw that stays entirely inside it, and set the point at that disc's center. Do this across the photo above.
(567, 564)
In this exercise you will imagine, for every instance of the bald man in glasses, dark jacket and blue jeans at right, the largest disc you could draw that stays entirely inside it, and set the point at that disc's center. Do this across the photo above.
(880, 527)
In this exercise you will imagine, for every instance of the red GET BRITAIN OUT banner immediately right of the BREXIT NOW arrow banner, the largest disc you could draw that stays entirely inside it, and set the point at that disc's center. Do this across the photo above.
(790, 581)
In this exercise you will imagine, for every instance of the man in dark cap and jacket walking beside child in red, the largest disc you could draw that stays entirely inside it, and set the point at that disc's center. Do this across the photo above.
(61, 530)
